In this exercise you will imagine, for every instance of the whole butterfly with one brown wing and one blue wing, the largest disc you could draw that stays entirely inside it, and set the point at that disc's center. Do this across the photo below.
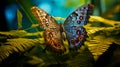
(73, 28)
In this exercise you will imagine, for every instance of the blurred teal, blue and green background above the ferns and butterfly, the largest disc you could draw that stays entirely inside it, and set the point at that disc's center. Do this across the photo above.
(109, 9)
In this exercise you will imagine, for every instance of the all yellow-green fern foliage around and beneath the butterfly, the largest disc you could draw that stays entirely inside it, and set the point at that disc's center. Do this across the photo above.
(101, 32)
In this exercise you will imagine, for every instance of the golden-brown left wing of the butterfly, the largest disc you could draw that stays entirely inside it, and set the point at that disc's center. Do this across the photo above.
(52, 33)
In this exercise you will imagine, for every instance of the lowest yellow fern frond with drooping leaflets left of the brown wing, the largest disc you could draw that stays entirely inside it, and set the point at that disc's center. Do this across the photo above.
(17, 45)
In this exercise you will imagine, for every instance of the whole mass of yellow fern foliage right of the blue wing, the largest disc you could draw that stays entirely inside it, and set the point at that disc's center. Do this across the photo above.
(100, 37)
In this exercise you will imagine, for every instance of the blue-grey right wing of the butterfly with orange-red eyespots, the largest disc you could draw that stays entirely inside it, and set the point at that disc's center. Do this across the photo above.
(73, 26)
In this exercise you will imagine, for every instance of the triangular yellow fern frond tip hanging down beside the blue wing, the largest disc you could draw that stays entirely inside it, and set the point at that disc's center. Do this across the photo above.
(98, 45)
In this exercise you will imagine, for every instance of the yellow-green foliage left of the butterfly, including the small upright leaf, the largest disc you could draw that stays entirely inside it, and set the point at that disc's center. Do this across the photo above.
(18, 40)
